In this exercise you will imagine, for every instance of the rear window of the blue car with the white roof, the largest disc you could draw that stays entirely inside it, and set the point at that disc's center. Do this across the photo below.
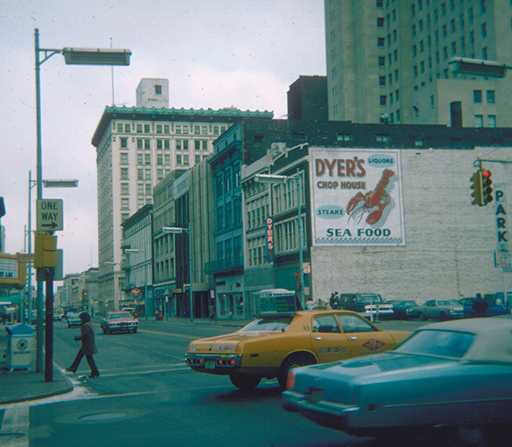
(438, 343)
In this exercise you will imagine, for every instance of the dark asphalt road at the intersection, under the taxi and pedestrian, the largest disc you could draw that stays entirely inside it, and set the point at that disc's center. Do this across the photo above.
(146, 396)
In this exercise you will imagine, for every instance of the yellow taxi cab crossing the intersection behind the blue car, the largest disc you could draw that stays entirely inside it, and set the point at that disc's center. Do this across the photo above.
(281, 340)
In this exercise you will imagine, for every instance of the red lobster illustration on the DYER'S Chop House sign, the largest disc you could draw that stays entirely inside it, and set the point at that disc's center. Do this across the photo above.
(363, 203)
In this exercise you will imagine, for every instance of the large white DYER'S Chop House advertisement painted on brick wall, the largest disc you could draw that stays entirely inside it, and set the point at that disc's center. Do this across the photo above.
(356, 197)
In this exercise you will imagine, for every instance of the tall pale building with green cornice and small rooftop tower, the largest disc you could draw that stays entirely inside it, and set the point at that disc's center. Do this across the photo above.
(136, 147)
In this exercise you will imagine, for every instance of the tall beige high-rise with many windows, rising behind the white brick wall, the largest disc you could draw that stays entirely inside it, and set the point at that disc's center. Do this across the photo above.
(388, 61)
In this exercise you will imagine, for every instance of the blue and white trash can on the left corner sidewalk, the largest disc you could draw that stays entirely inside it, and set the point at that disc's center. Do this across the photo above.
(20, 346)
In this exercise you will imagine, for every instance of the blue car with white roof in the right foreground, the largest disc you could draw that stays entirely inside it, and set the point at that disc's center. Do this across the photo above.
(456, 374)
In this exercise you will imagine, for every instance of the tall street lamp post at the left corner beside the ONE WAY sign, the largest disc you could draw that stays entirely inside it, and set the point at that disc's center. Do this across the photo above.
(75, 56)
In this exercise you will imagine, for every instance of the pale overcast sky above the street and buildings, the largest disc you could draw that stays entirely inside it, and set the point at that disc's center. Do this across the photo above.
(215, 53)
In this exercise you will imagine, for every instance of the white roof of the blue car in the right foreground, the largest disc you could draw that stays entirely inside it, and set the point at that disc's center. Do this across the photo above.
(493, 341)
